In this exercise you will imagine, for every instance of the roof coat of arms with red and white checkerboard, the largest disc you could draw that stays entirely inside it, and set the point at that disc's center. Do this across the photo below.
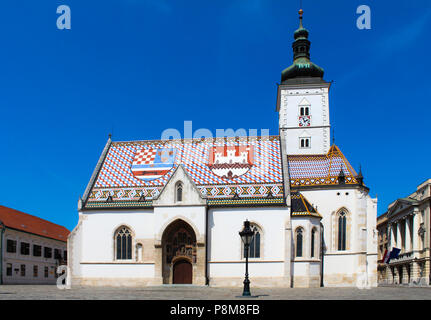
(152, 163)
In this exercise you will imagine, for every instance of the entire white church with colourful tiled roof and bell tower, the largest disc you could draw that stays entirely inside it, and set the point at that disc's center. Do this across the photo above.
(169, 211)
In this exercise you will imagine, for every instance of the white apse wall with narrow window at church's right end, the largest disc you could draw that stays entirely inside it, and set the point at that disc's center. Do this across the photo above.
(342, 268)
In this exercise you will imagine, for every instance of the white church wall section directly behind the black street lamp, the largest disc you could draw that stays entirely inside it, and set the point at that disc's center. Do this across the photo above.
(226, 265)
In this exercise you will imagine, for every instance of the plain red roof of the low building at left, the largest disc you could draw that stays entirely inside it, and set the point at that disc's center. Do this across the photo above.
(14, 219)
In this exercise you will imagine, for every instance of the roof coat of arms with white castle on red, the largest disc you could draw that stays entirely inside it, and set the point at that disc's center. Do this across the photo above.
(229, 162)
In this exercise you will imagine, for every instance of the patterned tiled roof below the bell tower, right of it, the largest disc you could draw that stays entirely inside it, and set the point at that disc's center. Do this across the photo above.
(322, 169)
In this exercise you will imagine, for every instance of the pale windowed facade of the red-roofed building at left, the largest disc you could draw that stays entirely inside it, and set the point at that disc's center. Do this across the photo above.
(17, 259)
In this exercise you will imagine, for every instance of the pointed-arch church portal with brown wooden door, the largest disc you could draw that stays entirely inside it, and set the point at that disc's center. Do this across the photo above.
(179, 253)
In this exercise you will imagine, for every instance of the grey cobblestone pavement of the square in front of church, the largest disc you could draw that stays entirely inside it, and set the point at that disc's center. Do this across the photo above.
(51, 292)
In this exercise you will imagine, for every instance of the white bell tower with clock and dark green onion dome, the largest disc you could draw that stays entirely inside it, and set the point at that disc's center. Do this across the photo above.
(302, 101)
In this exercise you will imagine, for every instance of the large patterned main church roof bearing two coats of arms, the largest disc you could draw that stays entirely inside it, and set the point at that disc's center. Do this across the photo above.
(135, 172)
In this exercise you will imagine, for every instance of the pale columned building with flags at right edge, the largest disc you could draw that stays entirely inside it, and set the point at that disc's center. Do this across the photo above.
(406, 226)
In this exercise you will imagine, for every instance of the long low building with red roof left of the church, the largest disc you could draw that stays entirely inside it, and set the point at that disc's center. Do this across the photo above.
(30, 248)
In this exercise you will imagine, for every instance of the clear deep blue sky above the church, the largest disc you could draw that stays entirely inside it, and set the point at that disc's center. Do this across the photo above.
(138, 67)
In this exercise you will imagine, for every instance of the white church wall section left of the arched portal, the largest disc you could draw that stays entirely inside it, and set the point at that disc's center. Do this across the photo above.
(92, 244)
